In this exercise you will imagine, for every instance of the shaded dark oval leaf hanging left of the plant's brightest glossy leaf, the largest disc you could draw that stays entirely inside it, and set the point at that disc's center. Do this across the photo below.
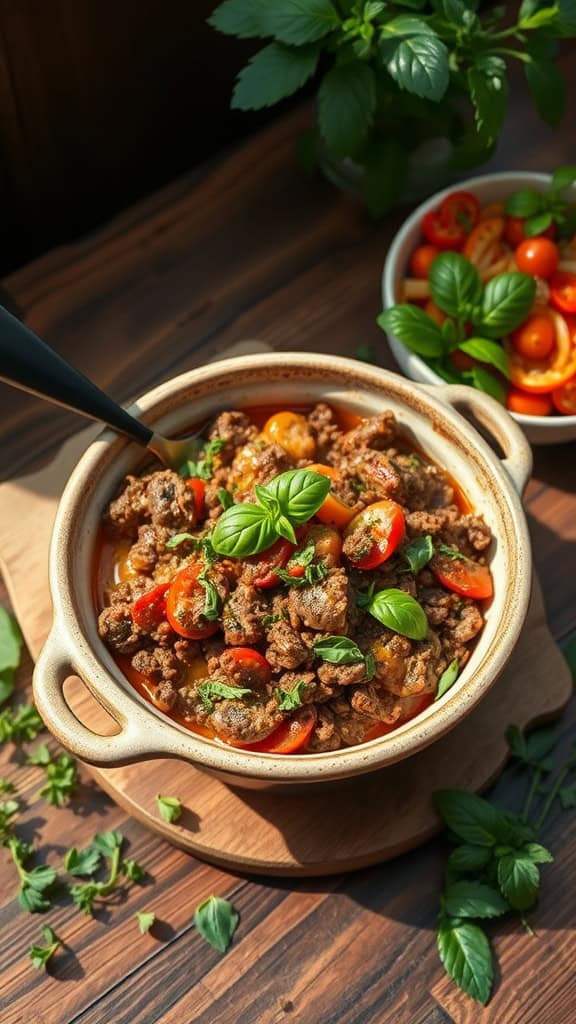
(347, 102)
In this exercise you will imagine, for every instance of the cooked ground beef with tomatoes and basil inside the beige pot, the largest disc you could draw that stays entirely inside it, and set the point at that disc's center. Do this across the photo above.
(311, 583)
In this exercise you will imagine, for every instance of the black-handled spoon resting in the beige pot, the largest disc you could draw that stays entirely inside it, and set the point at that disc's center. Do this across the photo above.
(29, 364)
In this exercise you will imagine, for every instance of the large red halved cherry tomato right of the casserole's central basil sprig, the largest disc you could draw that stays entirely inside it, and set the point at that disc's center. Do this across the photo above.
(380, 529)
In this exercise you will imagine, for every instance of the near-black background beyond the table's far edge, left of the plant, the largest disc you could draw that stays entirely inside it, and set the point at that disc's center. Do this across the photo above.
(102, 102)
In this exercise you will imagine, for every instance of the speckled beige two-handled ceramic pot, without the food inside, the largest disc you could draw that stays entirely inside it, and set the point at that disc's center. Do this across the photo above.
(75, 649)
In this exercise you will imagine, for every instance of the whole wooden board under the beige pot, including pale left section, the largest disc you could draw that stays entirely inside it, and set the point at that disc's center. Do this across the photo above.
(312, 832)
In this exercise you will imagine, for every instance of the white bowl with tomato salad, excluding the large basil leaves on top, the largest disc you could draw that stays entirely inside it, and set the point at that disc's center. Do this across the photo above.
(540, 355)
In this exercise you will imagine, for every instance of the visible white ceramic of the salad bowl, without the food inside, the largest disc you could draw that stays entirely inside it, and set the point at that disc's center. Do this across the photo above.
(488, 189)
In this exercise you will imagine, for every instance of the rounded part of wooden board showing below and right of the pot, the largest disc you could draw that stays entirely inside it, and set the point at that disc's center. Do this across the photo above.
(344, 827)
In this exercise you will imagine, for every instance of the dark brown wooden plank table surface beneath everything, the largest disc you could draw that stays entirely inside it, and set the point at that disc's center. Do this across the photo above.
(250, 248)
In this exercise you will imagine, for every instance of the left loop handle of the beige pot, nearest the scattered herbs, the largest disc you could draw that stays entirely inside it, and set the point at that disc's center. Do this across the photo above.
(54, 667)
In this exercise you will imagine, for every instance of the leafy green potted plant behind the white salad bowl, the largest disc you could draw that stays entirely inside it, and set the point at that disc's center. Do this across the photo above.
(409, 94)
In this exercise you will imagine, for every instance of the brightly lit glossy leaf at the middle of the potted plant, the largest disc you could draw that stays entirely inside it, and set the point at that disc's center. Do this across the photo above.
(418, 64)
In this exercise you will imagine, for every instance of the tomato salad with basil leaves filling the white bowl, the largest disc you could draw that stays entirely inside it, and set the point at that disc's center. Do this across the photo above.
(490, 300)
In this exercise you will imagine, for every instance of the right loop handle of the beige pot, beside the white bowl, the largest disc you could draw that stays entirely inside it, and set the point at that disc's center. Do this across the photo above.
(468, 401)
